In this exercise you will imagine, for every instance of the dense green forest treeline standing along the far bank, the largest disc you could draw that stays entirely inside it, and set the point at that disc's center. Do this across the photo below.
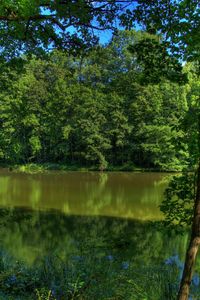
(96, 109)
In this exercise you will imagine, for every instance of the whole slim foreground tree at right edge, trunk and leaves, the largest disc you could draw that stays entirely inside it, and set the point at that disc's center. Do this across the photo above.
(179, 206)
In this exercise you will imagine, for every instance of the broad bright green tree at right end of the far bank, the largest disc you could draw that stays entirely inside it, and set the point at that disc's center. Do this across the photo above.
(155, 113)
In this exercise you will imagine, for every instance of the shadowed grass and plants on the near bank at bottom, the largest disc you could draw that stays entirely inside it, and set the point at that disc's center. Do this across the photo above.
(85, 278)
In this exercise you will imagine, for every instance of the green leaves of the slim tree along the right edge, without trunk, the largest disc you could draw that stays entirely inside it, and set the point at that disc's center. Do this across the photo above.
(181, 192)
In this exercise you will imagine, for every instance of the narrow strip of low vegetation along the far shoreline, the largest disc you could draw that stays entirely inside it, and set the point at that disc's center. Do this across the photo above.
(32, 168)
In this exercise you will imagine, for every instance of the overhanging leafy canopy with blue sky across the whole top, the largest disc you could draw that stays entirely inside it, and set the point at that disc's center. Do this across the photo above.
(33, 26)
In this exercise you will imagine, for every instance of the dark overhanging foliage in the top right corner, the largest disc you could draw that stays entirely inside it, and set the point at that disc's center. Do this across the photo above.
(177, 22)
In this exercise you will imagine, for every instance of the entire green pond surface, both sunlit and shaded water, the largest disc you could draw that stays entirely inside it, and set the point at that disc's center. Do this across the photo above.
(69, 214)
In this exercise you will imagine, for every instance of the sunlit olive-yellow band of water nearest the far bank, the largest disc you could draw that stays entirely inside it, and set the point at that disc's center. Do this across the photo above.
(127, 195)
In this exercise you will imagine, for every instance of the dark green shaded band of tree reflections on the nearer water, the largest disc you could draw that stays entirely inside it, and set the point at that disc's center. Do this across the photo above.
(29, 235)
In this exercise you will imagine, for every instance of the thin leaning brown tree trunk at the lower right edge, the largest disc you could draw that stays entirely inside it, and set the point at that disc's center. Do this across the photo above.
(194, 240)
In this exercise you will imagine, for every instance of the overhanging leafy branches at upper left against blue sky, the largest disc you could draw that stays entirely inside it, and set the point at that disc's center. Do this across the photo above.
(37, 26)
